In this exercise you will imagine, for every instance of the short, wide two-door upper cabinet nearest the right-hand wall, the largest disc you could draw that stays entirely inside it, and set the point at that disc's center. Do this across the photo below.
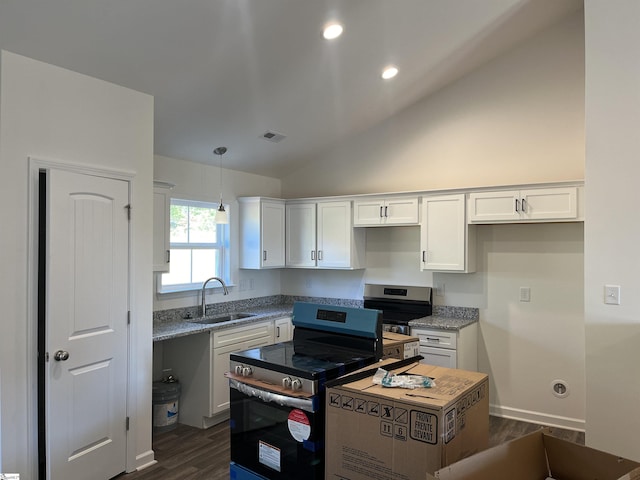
(526, 205)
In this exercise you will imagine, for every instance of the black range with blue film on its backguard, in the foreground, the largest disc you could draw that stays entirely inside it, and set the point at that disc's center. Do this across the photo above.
(277, 391)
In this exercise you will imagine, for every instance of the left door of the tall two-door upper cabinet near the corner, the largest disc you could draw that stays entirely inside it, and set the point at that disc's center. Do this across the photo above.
(300, 229)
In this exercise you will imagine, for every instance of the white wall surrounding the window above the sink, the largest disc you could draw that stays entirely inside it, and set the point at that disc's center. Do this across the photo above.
(202, 182)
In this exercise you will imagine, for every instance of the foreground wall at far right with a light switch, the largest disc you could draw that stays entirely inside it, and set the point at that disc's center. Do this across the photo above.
(612, 230)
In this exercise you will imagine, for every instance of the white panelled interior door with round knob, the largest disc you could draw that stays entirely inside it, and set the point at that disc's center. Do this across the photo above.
(86, 326)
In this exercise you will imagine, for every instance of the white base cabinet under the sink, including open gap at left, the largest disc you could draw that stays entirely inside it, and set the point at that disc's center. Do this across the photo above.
(199, 361)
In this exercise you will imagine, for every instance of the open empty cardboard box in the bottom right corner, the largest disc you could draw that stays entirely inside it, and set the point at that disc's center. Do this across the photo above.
(539, 456)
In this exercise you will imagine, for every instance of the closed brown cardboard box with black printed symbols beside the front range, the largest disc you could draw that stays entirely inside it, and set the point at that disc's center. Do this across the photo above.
(375, 432)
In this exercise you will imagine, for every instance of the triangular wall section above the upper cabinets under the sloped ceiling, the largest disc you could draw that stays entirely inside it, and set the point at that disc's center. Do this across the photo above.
(517, 119)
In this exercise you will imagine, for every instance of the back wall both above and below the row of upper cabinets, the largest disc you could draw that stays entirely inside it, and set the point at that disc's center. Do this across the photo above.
(518, 119)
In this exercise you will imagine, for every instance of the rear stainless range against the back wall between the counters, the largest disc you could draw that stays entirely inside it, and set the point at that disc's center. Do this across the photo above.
(399, 304)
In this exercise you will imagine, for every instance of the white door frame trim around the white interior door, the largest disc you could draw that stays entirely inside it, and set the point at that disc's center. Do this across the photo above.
(35, 165)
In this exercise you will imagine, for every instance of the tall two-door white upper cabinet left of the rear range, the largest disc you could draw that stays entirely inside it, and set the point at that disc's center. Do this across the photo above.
(321, 235)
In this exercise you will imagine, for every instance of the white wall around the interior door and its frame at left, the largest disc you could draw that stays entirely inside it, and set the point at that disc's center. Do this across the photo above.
(54, 114)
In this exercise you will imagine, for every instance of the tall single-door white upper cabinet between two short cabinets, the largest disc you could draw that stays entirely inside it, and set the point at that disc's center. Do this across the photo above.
(447, 242)
